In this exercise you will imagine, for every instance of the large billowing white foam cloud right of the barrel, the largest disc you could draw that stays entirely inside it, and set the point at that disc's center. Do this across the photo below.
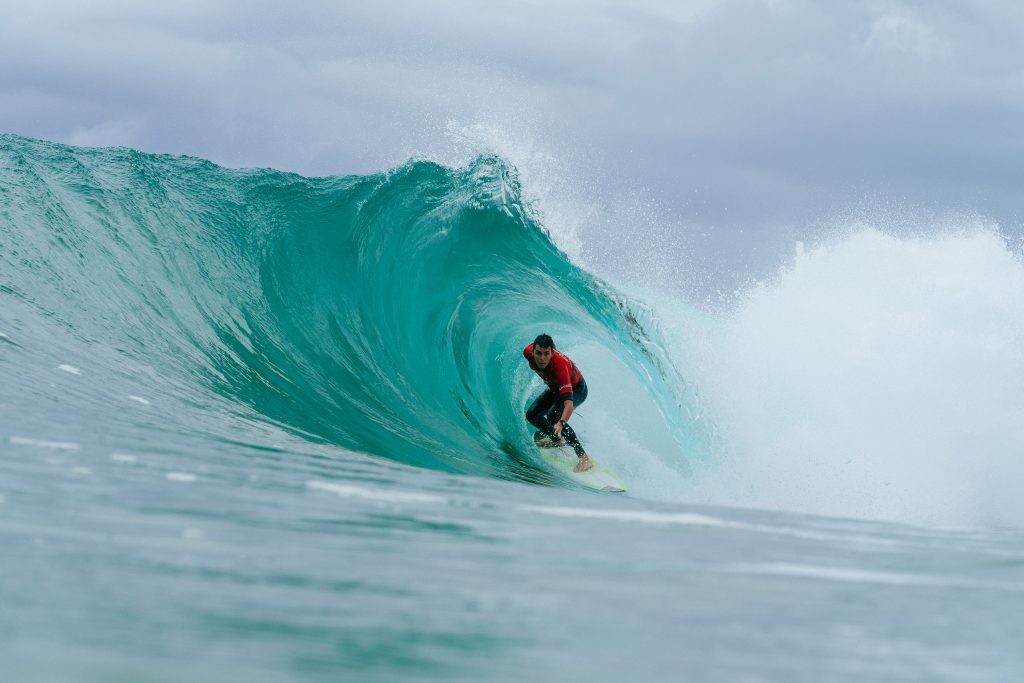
(878, 377)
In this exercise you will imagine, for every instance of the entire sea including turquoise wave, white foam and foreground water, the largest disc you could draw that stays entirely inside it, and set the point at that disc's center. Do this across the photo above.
(262, 428)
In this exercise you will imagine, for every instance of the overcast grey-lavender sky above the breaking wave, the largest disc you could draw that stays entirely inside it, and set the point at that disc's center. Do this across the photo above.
(718, 129)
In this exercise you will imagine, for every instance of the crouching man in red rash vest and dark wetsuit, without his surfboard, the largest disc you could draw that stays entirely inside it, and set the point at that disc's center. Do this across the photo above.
(567, 390)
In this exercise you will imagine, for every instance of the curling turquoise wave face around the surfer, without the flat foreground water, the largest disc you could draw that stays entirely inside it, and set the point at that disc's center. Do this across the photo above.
(383, 314)
